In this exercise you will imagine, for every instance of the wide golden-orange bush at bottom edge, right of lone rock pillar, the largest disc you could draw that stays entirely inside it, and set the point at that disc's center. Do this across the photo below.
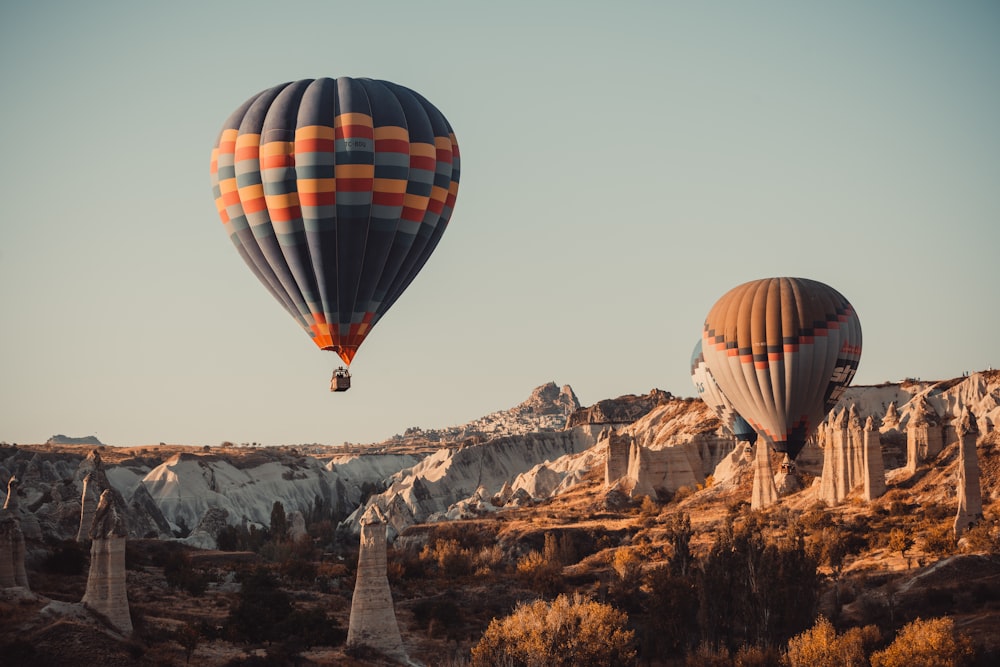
(564, 633)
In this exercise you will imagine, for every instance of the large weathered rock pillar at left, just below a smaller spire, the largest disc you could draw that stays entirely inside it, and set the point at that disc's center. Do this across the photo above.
(106, 593)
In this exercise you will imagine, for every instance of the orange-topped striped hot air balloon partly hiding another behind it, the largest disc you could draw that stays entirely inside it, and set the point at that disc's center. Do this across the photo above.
(782, 350)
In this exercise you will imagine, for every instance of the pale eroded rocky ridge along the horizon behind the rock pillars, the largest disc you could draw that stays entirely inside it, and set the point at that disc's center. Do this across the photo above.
(536, 449)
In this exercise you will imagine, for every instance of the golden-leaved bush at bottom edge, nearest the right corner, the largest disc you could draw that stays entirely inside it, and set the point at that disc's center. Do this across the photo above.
(930, 643)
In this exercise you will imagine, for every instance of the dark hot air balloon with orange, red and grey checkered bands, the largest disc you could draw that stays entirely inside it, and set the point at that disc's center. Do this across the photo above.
(335, 192)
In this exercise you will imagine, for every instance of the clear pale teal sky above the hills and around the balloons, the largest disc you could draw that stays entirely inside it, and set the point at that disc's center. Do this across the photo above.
(623, 165)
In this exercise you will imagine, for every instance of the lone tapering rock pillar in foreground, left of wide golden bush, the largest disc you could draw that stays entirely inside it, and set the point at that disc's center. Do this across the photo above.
(373, 619)
